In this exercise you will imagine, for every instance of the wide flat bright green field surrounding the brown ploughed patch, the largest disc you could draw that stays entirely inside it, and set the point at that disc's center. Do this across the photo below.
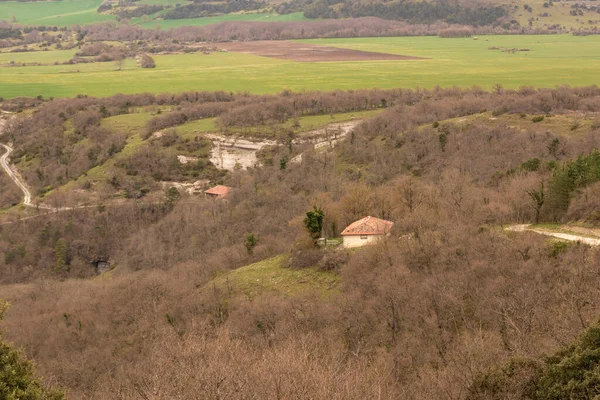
(552, 60)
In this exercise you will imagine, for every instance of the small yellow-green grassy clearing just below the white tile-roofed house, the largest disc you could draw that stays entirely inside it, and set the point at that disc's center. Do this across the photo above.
(271, 276)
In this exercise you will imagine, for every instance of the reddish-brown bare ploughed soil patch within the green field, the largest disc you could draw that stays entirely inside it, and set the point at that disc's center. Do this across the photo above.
(303, 52)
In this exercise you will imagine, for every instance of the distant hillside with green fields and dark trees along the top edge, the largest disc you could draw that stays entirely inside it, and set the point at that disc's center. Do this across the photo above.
(516, 14)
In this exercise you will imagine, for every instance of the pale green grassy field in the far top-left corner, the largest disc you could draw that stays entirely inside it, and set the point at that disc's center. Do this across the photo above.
(53, 13)
